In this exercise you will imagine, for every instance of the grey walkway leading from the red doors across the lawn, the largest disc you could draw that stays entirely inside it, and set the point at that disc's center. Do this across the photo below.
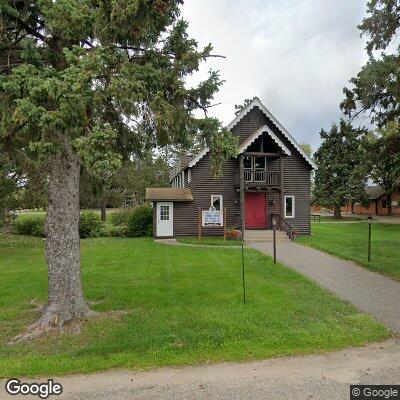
(370, 292)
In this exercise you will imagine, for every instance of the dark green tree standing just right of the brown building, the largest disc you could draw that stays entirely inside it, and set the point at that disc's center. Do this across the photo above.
(340, 178)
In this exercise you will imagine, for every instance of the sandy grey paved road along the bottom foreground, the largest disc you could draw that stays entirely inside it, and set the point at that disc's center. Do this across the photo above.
(316, 377)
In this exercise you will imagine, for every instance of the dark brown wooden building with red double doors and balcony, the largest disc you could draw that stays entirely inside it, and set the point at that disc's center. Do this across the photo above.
(270, 176)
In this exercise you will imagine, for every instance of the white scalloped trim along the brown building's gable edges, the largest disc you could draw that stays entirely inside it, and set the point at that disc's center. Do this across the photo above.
(257, 103)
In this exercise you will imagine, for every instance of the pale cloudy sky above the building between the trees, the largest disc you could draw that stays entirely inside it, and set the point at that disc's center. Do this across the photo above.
(296, 56)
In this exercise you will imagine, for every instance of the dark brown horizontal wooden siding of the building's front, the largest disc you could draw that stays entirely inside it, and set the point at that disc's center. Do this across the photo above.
(296, 182)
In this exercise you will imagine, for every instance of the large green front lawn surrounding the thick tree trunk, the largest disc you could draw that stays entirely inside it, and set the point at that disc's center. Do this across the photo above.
(184, 306)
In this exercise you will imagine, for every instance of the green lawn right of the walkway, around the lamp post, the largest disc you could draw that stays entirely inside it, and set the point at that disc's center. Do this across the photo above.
(350, 242)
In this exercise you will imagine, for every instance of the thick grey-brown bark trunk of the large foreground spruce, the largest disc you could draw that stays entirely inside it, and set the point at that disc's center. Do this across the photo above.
(66, 302)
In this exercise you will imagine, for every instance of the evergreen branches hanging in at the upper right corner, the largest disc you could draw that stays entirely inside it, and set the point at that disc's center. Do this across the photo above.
(375, 90)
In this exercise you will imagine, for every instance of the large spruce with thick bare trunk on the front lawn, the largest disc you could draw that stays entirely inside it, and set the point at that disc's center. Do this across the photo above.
(92, 81)
